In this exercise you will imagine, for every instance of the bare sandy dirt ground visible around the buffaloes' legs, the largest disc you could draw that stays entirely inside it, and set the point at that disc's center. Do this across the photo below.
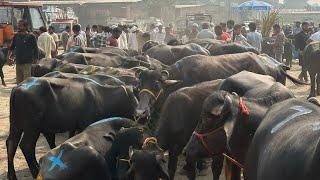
(42, 147)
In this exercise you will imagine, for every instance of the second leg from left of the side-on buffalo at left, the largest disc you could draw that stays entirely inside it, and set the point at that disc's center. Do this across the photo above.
(28, 145)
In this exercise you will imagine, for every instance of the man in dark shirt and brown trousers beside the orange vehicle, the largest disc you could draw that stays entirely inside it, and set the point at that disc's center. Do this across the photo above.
(24, 46)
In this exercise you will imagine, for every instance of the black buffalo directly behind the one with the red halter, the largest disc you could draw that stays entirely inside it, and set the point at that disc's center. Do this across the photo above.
(181, 112)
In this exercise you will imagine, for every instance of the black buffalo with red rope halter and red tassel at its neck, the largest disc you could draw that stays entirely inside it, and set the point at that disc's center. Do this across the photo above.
(228, 122)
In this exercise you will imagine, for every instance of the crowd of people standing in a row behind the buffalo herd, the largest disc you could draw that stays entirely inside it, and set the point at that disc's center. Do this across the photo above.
(131, 37)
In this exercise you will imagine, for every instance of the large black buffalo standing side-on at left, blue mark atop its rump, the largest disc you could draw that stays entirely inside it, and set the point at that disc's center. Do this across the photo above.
(51, 105)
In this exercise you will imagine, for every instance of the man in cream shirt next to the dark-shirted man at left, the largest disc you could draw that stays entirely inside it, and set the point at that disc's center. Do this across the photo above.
(46, 42)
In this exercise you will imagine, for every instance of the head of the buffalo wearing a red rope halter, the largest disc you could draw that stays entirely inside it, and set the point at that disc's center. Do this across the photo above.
(214, 130)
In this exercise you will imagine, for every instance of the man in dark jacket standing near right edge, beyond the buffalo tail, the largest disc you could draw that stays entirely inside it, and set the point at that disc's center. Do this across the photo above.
(300, 43)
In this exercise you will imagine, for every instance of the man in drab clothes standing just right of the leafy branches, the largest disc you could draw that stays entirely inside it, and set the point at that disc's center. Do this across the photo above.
(278, 44)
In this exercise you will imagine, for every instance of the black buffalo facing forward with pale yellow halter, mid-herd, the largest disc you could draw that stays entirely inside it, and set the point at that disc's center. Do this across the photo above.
(195, 69)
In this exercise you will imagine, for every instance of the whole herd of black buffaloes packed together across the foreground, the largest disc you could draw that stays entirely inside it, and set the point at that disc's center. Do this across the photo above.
(211, 102)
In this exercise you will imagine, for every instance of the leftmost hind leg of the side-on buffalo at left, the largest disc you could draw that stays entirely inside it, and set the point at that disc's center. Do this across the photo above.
(12, 144)
